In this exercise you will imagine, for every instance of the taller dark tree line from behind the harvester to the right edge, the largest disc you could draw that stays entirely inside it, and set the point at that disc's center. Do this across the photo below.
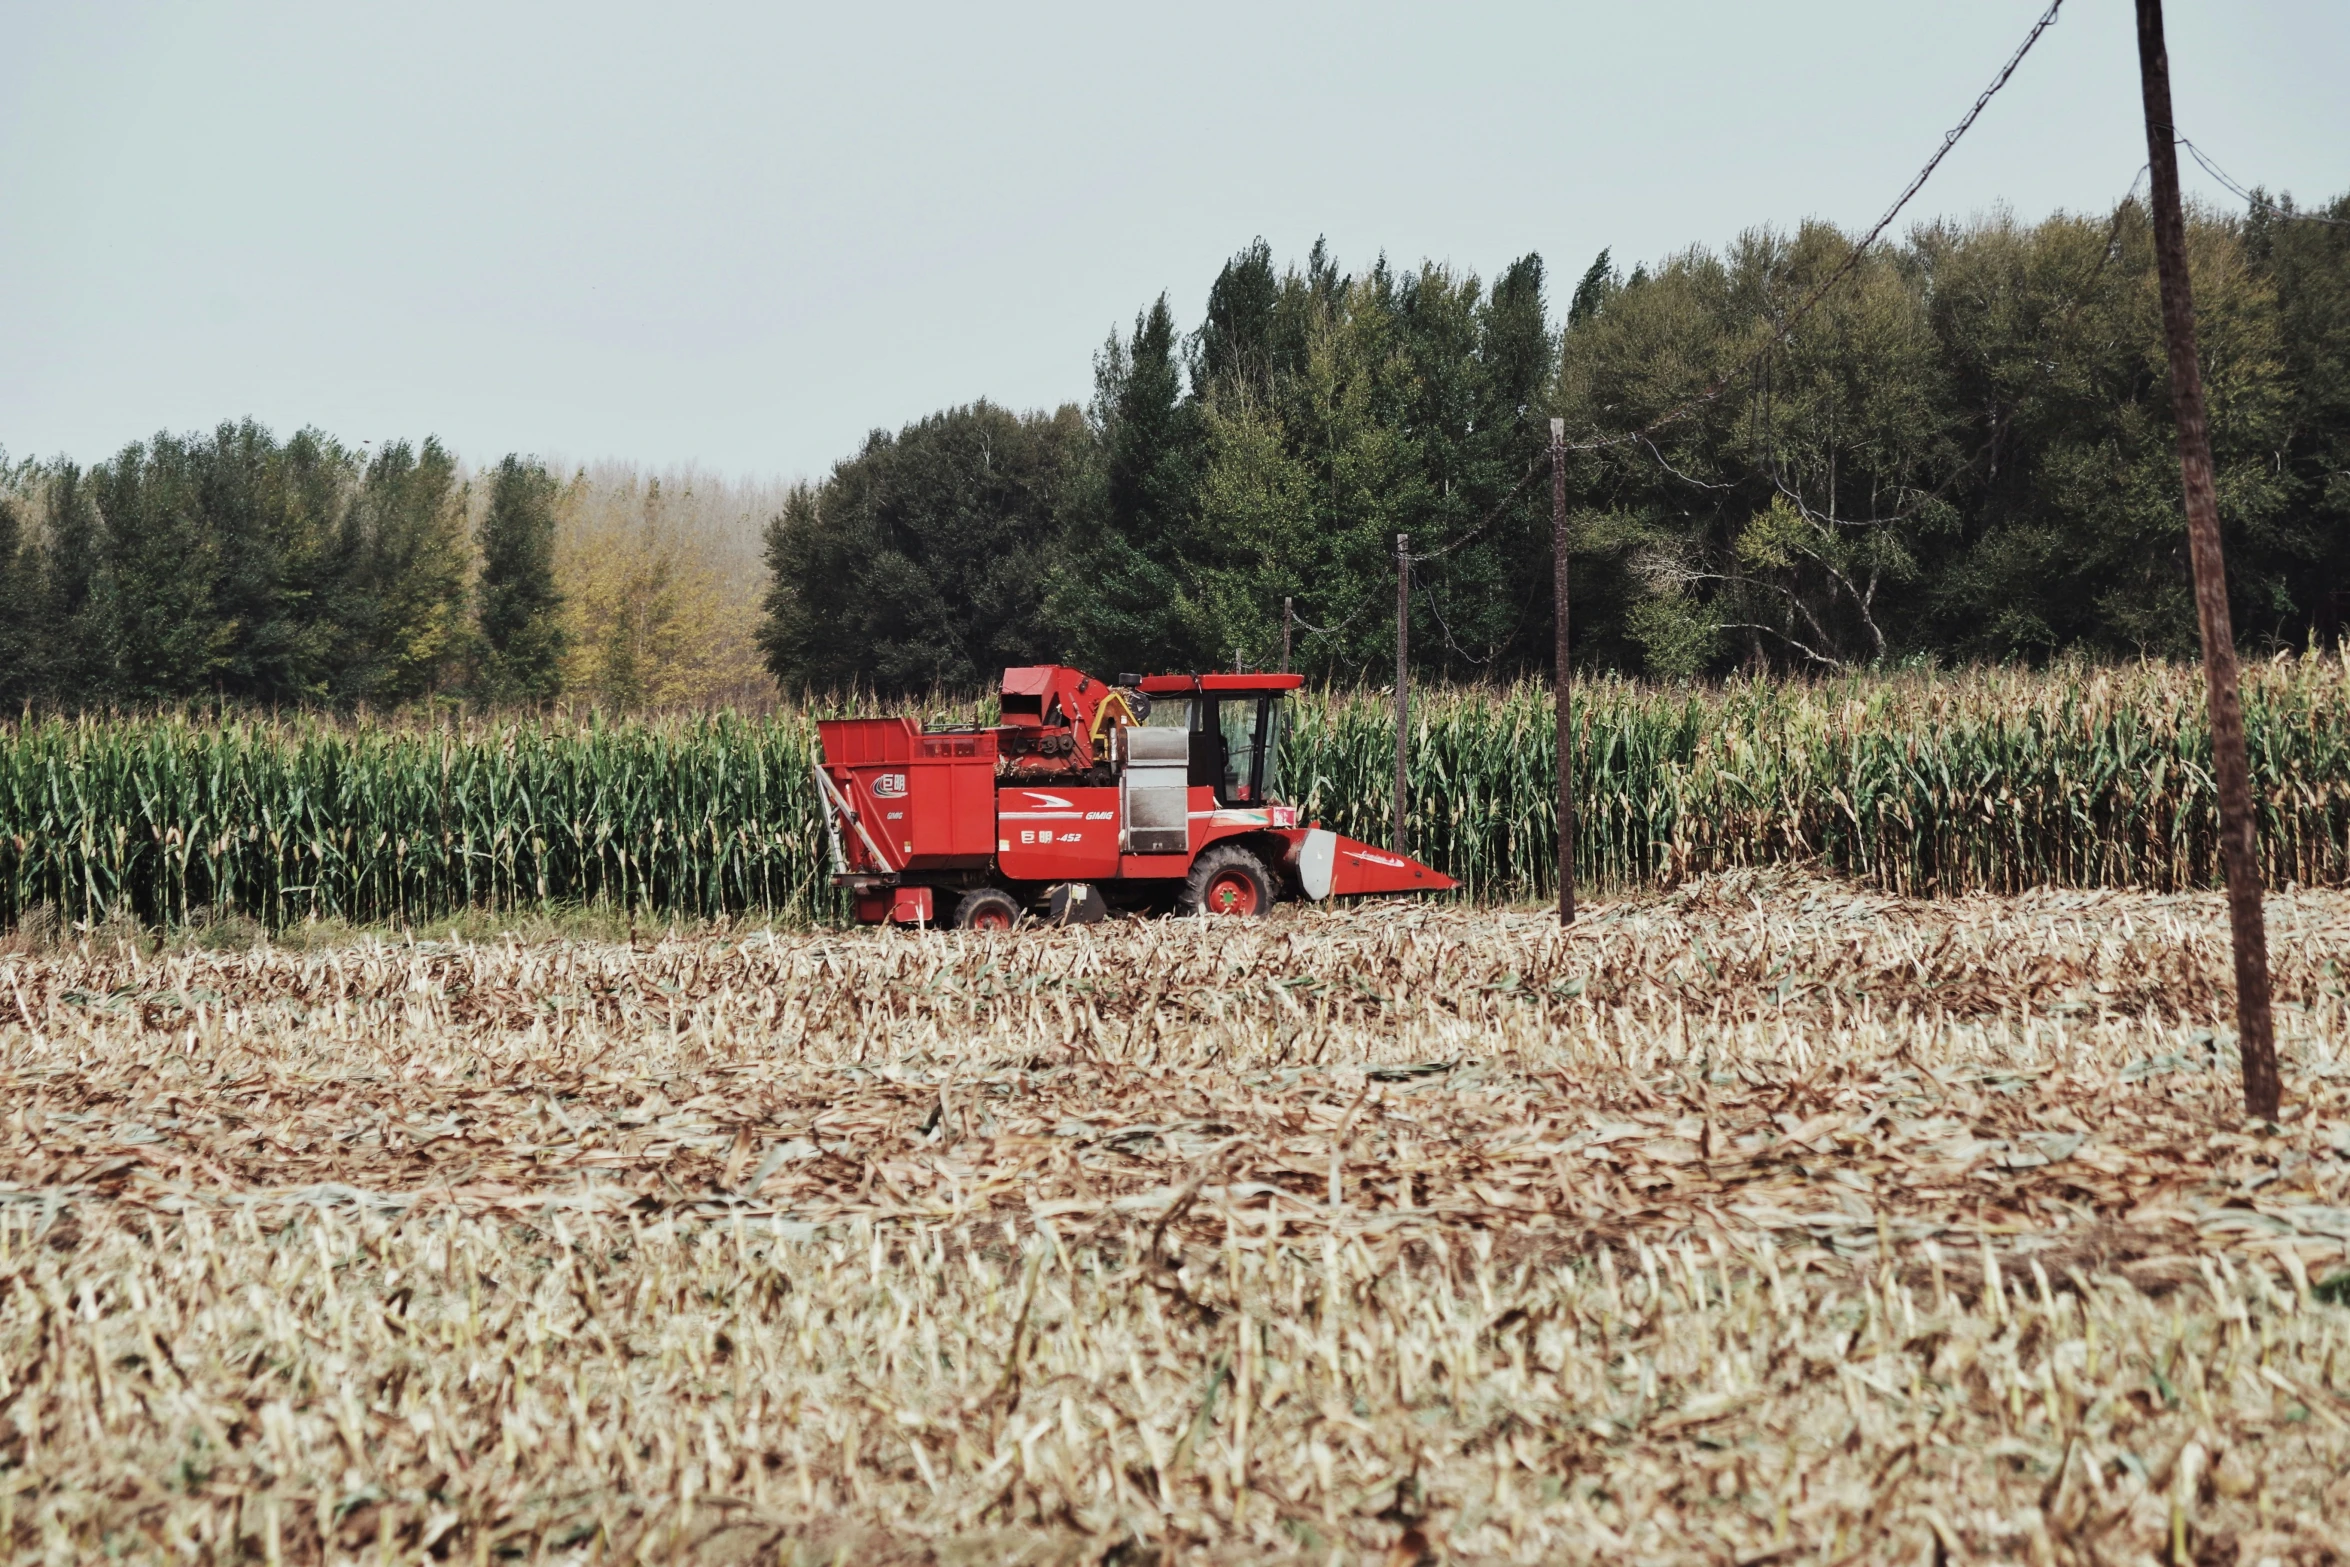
(1961, 455)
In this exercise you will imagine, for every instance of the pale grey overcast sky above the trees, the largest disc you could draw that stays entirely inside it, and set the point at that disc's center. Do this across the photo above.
(746, 234)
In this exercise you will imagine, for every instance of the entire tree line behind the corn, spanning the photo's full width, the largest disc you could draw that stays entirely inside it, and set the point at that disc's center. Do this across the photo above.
(1961, 455)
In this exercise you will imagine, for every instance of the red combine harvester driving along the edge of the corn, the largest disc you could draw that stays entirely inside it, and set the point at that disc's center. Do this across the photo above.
(1160, 793)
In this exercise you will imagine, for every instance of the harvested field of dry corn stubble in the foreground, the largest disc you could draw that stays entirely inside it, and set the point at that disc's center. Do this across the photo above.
(1757, 1223)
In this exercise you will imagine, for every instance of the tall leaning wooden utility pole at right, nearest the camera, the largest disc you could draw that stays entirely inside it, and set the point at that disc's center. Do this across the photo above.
(2238, 842)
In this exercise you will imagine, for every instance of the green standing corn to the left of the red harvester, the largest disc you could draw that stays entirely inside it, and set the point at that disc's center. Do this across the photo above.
(177, 821)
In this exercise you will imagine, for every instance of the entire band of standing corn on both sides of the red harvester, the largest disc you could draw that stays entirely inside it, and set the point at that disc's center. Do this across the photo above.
(1916, 783)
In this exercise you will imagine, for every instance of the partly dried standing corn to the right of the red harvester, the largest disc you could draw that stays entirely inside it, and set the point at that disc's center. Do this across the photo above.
(1916, 783)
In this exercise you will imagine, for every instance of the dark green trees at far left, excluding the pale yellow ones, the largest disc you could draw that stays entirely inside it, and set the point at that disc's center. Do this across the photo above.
(278, 572)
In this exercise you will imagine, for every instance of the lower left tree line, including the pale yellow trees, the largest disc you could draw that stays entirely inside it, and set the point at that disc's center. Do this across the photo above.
(311, 574)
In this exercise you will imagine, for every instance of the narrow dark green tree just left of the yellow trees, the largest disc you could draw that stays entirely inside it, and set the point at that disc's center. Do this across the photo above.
(518, 610)
